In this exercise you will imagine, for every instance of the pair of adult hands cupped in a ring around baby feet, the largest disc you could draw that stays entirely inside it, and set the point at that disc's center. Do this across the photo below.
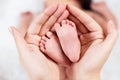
(96, 42)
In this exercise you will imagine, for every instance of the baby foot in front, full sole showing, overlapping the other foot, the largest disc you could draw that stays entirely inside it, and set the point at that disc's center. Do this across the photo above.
(69, 40)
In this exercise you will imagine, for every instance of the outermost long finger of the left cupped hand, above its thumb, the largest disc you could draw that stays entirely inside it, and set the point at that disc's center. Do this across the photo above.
(41, 20)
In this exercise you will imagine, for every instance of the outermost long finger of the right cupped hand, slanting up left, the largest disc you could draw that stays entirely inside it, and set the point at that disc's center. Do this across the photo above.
(89, 23)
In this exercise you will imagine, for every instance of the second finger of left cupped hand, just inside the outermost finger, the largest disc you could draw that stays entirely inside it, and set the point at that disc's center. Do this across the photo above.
(51, 21)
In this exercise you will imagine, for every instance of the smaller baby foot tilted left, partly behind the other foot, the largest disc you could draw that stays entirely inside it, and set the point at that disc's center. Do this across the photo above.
(50, 45)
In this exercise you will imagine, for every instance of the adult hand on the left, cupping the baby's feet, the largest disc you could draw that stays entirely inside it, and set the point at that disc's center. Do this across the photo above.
(37, 65)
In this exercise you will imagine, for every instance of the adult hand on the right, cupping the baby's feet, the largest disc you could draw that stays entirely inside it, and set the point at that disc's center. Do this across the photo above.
(97, 42)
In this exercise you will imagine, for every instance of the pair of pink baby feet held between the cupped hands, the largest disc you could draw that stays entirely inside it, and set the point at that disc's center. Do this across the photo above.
(64, 45)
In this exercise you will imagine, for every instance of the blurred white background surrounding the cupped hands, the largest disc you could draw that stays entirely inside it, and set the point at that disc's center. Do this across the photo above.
(10, 68)
